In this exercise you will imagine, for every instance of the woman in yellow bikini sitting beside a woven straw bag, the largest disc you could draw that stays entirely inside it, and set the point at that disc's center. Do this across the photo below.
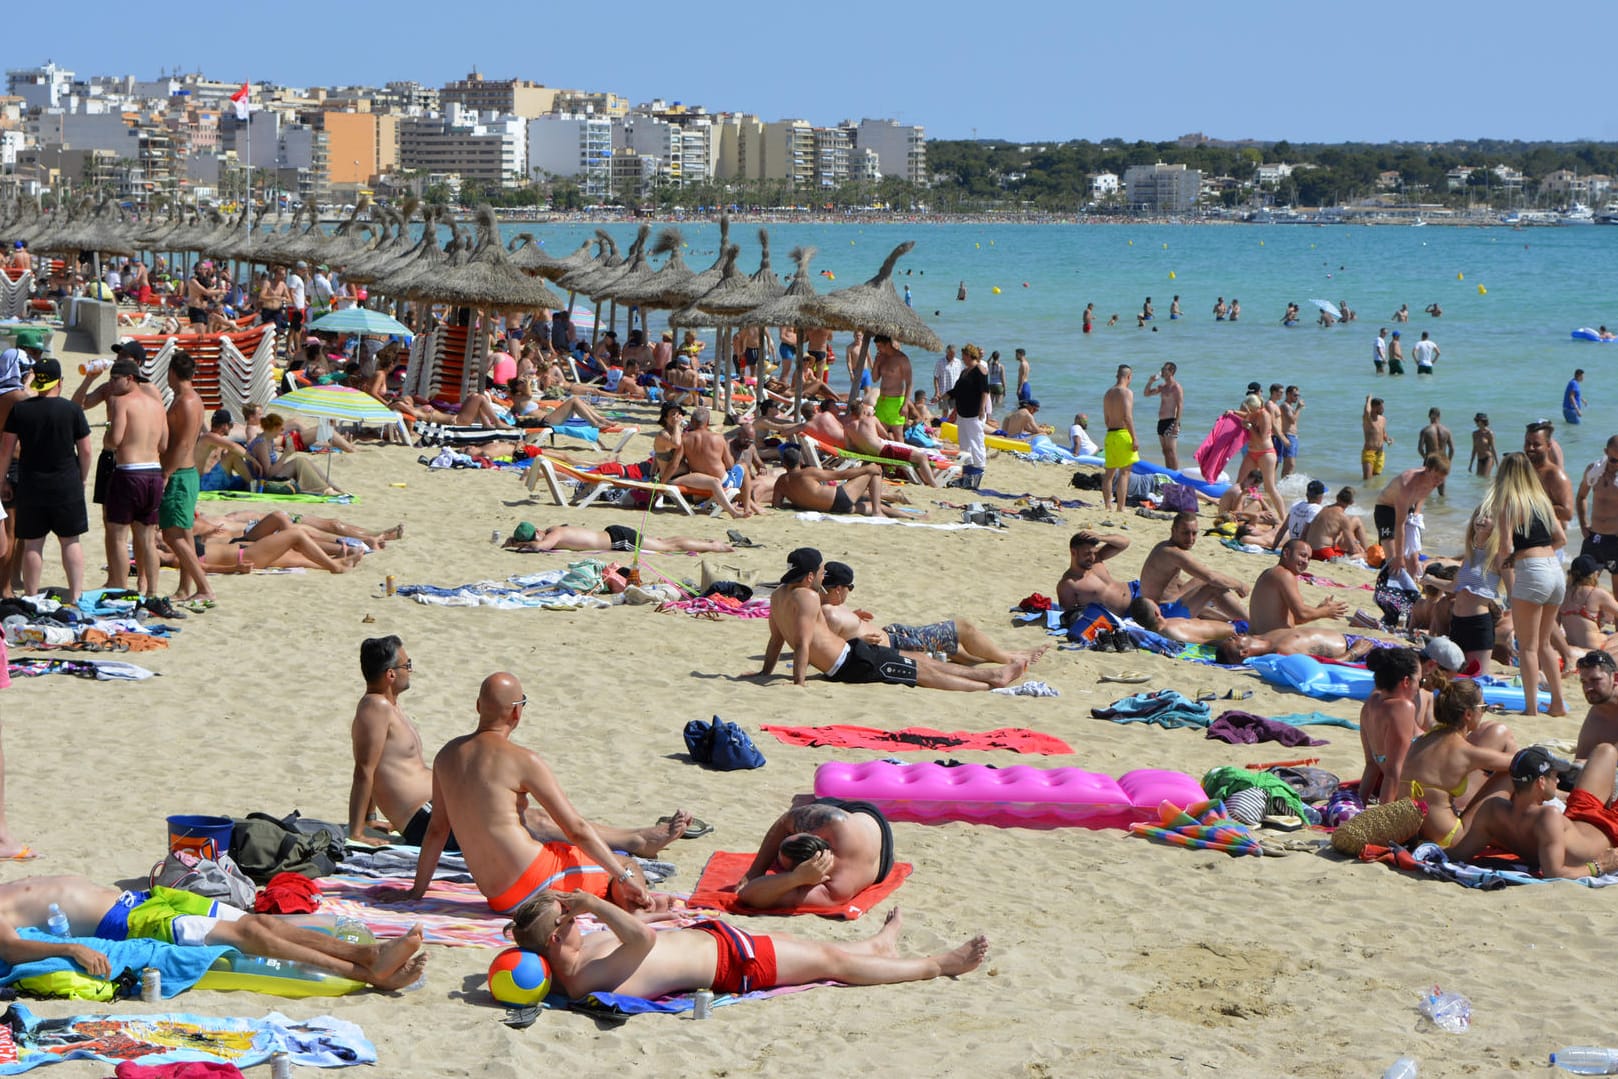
(1459, 763)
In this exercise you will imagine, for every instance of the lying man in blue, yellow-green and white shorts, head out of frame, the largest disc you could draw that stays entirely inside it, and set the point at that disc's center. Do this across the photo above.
(182, 918)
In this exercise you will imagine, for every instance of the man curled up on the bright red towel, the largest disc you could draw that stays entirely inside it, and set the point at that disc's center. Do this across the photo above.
(828, 852)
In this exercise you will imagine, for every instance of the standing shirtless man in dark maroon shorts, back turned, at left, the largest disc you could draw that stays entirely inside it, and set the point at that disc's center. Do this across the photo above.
(140, 436)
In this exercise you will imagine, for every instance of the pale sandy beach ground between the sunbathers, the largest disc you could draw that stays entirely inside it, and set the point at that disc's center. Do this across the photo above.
(1109, 954)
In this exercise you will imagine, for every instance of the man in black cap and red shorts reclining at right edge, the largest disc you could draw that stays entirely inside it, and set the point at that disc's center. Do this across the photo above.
(1572, 844)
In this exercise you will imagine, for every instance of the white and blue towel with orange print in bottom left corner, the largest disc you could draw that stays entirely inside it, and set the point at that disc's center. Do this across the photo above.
(27, 1041)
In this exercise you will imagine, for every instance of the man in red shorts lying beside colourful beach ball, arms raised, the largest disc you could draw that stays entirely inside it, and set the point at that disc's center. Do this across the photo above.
(640, 962)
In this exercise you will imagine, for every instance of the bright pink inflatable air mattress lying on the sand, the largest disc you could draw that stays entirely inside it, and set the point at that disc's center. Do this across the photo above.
(1012, 798)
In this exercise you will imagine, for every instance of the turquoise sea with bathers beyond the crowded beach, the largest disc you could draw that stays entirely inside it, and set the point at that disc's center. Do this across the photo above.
(1510, 300)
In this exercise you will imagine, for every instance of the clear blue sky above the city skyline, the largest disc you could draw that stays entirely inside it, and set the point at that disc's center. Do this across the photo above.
(1415, 70)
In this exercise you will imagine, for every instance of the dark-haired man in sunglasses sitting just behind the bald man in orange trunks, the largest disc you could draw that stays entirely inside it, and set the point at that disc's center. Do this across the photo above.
(391, 774)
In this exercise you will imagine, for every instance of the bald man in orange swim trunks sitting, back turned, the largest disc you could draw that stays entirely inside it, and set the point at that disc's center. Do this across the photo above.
(481, 789)
